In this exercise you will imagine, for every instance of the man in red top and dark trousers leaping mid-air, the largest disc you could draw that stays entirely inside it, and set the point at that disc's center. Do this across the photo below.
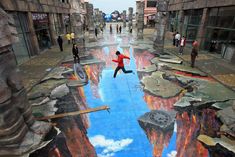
(120, 64)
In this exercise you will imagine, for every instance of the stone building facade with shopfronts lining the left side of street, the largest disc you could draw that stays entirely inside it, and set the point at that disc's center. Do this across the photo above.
(38, 23)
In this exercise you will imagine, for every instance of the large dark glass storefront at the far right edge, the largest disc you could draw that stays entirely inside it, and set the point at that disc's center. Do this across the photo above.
(220, 29)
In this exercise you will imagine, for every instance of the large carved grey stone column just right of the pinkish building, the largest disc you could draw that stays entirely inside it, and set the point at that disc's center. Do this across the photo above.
(161, 24)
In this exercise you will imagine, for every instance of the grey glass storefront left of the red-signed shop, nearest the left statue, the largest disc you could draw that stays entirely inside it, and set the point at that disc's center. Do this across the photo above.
(23, 48)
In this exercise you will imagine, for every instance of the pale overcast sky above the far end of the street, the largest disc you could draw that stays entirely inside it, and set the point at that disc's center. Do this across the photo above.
(108, 6)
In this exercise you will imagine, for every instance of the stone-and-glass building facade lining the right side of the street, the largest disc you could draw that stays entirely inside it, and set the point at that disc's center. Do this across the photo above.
(211, 22)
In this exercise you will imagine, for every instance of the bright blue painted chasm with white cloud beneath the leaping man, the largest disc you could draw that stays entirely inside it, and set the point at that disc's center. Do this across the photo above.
(118, 134)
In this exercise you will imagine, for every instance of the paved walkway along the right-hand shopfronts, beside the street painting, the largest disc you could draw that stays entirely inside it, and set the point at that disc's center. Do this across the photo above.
(212, 64)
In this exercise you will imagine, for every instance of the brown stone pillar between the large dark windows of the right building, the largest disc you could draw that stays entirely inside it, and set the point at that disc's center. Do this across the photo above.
(201, 31)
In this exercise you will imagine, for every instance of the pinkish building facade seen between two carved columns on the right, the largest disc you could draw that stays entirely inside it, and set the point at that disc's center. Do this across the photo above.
(149, 12)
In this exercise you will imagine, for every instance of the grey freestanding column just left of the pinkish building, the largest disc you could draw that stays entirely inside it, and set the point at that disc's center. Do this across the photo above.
(140, 18)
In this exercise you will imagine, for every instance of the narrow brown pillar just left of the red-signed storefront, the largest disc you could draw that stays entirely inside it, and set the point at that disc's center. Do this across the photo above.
(35, 44)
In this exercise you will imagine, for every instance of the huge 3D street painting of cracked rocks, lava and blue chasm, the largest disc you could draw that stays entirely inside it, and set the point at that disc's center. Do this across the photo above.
(164, 109)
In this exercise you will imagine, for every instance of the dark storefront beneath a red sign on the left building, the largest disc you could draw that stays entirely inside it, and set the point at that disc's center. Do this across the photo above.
(41, 26)
